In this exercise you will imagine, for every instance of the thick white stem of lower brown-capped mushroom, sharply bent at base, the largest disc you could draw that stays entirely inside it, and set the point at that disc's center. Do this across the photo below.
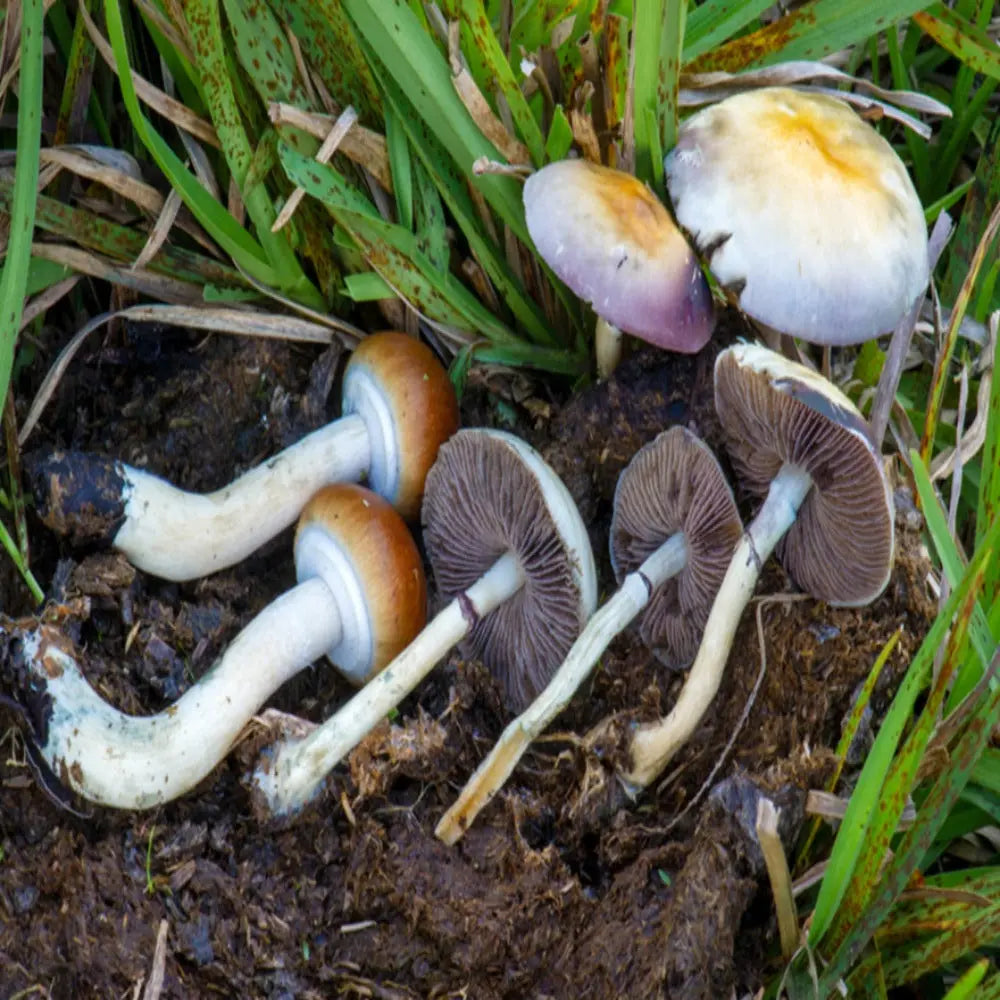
(131, 762)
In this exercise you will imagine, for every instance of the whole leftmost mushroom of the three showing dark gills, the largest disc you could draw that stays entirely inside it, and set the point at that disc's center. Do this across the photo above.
(510, 553)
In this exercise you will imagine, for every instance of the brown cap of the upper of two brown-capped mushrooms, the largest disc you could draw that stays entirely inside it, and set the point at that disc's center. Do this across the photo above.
(397, 385)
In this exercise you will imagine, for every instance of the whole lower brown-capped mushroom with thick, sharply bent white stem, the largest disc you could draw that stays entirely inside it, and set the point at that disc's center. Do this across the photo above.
(360, 599)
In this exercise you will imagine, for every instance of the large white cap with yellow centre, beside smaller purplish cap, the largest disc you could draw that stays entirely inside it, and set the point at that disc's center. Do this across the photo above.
(804, 212)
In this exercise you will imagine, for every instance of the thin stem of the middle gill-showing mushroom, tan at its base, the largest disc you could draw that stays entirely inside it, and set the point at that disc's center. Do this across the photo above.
(620, 609)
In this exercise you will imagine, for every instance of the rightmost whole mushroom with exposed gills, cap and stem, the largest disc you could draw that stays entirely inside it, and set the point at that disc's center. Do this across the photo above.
(797, 440)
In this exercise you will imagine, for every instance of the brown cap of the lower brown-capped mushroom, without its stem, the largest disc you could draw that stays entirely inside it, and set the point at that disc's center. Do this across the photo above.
(355, 541)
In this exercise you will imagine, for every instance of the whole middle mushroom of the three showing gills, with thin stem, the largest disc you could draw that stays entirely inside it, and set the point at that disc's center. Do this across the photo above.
(673, 531)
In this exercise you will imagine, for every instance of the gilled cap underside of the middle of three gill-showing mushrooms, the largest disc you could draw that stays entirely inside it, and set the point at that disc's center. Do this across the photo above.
(674, 484)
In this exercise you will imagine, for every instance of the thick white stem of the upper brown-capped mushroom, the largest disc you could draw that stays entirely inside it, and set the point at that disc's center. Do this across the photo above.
(178, 535)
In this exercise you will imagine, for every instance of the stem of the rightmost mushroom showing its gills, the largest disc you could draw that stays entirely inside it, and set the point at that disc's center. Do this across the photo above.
(655, 743)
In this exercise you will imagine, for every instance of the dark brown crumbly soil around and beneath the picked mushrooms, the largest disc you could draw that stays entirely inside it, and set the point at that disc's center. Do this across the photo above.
(562, 888)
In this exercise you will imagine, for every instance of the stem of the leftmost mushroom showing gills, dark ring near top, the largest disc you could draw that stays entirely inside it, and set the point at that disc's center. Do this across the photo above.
(294, 769)
